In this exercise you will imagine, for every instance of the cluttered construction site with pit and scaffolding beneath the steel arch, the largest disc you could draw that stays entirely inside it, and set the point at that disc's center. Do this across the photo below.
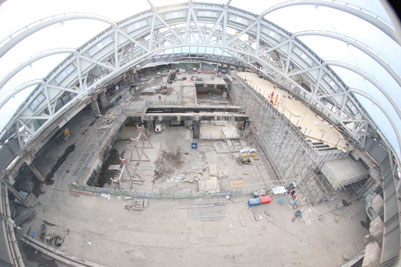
(171, 175)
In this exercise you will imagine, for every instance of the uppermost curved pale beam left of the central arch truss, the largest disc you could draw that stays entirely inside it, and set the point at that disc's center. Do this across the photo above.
(30, 29)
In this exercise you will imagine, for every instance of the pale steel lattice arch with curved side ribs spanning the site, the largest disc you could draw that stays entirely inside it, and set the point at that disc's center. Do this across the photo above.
(208, 26)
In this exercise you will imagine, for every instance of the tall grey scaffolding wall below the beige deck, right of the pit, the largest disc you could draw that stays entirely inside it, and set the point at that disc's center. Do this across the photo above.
(293, 157)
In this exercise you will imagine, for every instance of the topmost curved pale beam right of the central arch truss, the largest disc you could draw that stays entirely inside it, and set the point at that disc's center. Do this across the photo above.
(353, 10)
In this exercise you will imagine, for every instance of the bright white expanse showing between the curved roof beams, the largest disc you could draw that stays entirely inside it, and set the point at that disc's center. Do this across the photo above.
(72, 34)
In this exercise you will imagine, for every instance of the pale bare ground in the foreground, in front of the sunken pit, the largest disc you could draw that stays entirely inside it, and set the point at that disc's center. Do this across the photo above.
(164, 234)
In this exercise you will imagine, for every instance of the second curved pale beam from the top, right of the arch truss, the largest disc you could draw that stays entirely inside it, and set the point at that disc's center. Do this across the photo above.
(355, 43)
